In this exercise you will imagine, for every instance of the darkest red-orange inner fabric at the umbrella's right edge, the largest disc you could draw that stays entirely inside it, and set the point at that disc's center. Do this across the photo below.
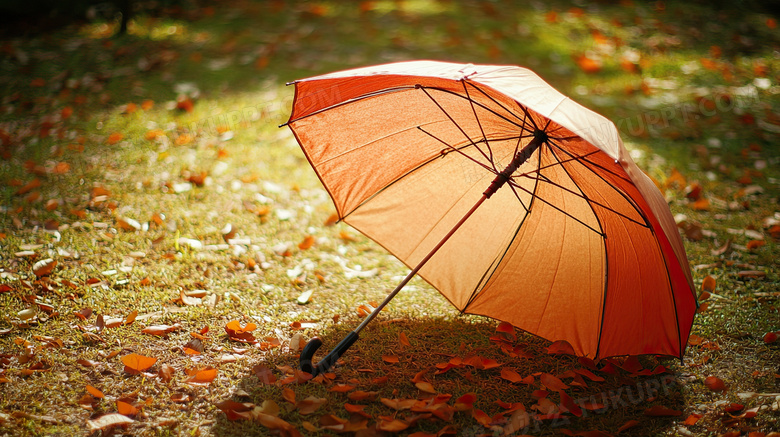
(648, 296)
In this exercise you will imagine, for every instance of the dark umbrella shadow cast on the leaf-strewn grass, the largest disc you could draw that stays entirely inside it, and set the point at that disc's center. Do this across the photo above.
(457, 357)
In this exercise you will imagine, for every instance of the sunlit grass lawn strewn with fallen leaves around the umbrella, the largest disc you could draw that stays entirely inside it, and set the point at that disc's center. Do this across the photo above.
(686, 86)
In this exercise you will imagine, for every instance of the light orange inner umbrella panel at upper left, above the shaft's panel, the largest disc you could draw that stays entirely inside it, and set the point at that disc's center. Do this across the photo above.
(354, 164)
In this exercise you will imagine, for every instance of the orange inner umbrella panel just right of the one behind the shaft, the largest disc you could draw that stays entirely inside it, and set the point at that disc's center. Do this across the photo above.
(551, 280)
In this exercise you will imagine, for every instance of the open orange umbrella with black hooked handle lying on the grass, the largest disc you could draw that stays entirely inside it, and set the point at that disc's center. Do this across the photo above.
(509, 198)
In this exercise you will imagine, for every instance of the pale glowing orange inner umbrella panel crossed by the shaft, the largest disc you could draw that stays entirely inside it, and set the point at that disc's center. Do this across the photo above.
(412, 215)
